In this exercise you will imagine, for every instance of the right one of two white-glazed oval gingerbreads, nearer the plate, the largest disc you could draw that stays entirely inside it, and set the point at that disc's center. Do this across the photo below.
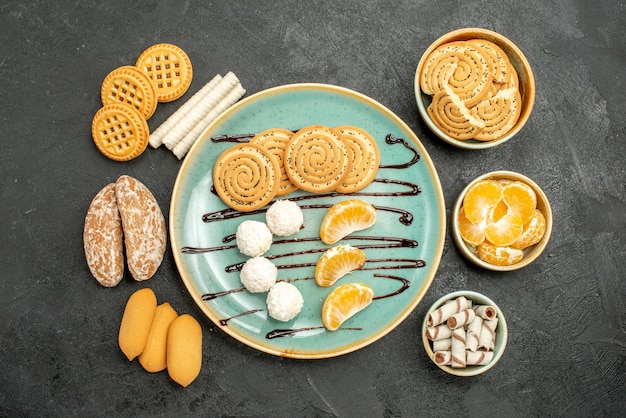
(145, 234)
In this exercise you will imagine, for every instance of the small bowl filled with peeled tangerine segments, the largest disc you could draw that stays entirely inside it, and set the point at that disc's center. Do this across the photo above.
(502, 221)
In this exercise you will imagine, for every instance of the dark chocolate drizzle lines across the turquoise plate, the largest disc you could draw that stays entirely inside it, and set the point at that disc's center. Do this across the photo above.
(400, 188)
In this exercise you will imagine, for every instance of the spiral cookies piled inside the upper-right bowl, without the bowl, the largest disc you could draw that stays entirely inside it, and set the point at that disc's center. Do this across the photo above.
(475, 90)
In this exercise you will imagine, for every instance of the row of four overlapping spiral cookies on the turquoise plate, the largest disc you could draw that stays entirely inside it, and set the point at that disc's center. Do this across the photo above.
(277, 161)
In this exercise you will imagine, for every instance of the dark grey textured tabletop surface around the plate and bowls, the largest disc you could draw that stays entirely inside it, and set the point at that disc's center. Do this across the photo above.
(58, 346)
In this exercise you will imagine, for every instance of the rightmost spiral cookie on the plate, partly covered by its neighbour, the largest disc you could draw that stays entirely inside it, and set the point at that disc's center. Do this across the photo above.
(363, 156)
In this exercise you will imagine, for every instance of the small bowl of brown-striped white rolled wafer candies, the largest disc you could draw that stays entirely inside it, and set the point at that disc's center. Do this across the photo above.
(464, 333)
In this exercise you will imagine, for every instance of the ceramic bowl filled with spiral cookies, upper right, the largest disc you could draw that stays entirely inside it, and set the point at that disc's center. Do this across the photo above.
(474, 88)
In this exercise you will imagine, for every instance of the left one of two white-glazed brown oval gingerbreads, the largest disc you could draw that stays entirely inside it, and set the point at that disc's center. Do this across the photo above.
(102, 238)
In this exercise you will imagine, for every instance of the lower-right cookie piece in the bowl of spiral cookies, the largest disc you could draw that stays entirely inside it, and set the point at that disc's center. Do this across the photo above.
(499, 114)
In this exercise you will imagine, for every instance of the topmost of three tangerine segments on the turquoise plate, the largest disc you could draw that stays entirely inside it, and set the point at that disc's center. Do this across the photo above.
(346, 217)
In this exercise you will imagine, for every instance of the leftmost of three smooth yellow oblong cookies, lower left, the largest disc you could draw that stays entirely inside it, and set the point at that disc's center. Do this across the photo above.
(136, 322)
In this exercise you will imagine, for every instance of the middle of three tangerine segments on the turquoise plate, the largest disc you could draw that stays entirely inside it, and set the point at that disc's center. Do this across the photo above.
(336, 263)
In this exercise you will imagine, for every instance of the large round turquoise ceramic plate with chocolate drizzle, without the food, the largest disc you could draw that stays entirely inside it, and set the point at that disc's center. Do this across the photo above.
(403, 248)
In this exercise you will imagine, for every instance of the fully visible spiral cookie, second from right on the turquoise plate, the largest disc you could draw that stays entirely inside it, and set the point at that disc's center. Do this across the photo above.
(316, 159)
